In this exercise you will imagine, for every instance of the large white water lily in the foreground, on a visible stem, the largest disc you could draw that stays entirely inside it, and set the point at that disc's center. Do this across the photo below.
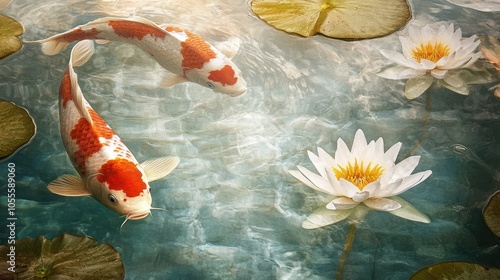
(364, 175)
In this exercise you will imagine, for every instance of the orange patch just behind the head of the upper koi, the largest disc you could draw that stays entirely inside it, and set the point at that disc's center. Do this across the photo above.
(195, 50)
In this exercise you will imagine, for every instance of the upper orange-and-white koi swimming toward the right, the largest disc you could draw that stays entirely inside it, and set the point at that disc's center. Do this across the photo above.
(186, 55)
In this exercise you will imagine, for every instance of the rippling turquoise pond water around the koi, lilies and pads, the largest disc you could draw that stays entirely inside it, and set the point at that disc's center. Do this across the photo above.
(232, 209)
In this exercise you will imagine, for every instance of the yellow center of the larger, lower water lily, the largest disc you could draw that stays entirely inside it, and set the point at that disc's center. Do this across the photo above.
(357, 174)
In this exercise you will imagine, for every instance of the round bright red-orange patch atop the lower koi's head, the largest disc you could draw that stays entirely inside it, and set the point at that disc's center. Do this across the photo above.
(121, 174)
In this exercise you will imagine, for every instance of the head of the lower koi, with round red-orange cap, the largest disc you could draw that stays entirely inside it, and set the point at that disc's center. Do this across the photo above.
(122, 186)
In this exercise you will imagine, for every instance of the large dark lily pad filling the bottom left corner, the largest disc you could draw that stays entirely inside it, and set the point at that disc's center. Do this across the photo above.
(64, 257)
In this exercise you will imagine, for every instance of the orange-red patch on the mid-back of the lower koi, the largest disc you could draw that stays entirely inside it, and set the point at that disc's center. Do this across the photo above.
(87, 137)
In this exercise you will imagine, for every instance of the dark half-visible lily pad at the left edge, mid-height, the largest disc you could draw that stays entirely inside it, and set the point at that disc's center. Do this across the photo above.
(17, 128)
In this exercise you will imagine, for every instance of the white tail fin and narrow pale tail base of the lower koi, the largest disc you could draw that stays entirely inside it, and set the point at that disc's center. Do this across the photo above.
(80, 54)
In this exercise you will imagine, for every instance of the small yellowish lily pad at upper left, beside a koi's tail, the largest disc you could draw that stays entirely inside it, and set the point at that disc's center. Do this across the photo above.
(10, 30)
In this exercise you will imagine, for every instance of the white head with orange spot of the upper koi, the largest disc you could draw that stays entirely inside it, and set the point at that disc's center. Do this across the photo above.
(219, 74)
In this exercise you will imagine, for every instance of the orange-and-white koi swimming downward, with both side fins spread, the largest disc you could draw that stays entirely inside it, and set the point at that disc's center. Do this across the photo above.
(108, 170)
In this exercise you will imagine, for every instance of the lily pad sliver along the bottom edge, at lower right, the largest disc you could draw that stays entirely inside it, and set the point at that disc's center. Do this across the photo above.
(456, 270)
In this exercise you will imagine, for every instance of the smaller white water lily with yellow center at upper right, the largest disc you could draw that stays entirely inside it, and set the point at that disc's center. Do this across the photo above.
(428, 55)
